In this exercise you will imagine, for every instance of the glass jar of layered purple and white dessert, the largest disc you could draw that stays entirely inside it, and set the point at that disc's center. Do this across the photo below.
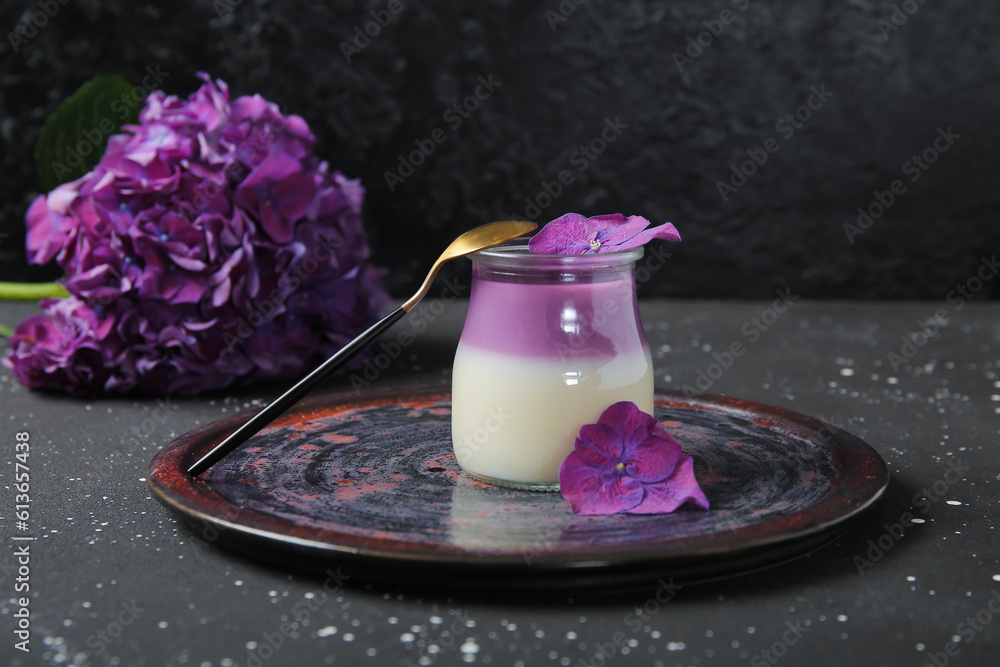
(549, 343)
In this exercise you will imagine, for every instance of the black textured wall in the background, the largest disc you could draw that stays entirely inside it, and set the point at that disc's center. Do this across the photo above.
(559, 81)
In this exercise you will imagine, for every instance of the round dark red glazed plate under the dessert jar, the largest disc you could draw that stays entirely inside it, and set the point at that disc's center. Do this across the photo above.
(370, 483)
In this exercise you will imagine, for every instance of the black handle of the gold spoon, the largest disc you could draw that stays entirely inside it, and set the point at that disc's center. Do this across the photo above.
(290, 397)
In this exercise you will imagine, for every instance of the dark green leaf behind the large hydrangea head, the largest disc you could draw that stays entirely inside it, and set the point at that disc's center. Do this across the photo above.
(74, 138)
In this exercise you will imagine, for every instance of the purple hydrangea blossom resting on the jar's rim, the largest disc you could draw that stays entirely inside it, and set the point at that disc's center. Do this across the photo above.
(574, 234)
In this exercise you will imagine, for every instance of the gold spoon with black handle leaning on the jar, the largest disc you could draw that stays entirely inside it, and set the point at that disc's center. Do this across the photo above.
(480, 238)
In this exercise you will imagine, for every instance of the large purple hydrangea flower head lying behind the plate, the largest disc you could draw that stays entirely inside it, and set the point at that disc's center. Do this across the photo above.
(208, 248)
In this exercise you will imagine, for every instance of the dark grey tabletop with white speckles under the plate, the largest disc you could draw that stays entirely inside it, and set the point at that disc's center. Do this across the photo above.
(115, 579)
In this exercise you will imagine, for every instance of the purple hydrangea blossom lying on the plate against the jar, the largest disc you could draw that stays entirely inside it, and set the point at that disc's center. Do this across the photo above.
(628, 463)
